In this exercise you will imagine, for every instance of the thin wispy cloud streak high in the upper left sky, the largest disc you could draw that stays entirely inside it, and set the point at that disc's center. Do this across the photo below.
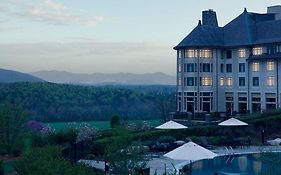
(51, 12)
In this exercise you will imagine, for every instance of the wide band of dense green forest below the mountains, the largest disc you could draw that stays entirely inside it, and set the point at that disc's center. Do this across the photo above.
(50, 102)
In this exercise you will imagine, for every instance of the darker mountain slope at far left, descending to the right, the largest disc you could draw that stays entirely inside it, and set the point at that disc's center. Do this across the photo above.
(10, 76)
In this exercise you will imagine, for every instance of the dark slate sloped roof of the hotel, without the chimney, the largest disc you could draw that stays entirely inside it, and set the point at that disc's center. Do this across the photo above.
(246, 29)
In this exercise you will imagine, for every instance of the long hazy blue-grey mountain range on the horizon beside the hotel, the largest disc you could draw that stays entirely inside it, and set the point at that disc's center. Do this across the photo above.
(106, 79)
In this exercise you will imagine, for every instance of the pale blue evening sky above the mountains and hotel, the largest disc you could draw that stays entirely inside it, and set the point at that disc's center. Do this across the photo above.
(104, 36)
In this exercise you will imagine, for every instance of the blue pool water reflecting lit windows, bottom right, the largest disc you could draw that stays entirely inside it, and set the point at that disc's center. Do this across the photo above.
(250, 164)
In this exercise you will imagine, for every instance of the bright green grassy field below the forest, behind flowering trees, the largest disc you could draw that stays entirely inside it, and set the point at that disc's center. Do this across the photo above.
(97, 124)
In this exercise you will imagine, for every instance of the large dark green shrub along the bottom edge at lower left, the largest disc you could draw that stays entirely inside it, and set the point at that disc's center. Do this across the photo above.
(48, 161)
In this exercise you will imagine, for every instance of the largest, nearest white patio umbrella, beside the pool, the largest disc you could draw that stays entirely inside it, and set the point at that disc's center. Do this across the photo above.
(190, 151)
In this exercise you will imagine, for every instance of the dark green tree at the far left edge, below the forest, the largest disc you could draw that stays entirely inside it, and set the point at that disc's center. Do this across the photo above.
(12, 127)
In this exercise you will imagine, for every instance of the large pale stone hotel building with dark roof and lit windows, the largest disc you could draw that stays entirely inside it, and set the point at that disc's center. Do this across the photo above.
(231, 68)
